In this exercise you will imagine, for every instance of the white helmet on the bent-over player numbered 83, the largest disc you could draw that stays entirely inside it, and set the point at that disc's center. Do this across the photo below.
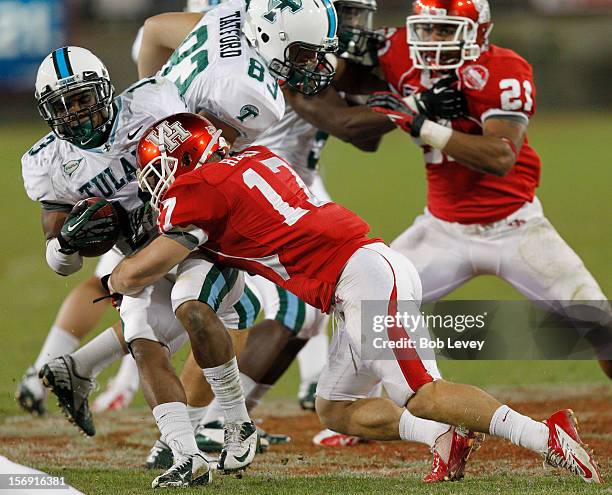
(293, 36)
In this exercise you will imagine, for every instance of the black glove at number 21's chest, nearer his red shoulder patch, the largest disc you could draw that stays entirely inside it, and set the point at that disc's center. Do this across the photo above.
(442, 101)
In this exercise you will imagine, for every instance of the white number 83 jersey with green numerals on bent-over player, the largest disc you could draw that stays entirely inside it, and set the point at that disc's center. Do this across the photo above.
(217, 71)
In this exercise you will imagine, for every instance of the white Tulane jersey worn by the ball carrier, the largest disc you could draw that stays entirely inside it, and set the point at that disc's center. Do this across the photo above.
(58, 174)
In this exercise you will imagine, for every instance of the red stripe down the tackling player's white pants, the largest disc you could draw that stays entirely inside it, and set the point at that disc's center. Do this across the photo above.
(408, 359)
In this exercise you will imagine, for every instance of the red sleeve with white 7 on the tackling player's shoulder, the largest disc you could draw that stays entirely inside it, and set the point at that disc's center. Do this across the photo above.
(191, 212)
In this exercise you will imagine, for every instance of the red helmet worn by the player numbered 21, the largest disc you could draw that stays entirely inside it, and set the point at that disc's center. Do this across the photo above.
(443, 34)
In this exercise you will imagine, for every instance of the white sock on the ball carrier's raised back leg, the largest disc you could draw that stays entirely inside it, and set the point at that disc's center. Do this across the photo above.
(98, 354)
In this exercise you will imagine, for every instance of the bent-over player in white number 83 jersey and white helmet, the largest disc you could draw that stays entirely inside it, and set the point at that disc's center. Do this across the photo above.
(227, 64)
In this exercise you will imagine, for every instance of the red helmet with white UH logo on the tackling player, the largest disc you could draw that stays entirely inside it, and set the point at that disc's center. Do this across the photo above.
(174, 146)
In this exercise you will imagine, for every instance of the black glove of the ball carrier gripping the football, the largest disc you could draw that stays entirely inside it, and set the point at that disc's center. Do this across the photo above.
(80, 229)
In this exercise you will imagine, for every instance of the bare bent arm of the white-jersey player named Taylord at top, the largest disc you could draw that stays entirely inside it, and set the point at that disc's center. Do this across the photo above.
(162, 34)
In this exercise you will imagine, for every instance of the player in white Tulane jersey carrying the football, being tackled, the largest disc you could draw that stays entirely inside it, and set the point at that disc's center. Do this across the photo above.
(99, 134)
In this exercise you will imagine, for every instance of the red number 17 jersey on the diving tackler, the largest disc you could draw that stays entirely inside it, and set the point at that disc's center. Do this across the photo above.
(253, 212)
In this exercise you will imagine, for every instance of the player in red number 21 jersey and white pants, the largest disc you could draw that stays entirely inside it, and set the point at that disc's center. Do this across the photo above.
(482, 215)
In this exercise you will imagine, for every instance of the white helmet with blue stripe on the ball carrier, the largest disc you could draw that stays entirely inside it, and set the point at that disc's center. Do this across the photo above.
(75, 95)
